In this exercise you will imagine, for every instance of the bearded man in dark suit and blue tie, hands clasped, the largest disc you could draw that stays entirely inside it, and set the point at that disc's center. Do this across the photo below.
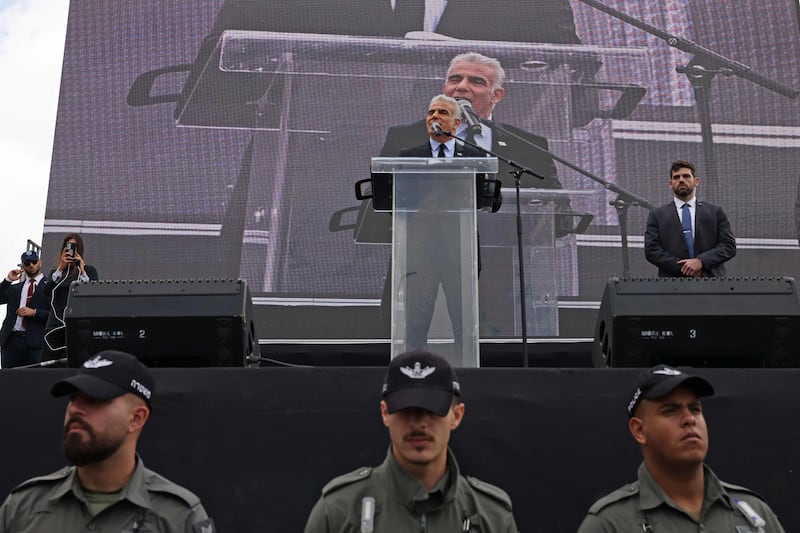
(687, 237)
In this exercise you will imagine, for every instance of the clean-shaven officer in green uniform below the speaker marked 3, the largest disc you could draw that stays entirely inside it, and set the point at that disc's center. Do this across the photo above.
(676, 491)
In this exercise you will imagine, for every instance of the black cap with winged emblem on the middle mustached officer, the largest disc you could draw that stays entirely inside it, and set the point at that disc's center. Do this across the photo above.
(420, 379)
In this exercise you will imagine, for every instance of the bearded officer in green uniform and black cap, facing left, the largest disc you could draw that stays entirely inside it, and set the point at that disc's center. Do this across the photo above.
(109, 490)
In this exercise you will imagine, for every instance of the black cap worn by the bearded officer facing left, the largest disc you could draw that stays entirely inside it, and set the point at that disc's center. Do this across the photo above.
(109, 374)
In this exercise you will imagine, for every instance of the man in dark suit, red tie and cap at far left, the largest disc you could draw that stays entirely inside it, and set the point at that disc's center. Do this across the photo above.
(23, 328)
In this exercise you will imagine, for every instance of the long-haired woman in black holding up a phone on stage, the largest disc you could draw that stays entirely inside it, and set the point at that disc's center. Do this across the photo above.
(71, 267)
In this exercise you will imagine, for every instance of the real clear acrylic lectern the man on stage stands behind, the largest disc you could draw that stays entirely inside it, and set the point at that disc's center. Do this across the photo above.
(435, 255)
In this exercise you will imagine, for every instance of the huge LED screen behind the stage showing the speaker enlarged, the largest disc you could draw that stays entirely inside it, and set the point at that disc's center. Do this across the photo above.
(222, 139)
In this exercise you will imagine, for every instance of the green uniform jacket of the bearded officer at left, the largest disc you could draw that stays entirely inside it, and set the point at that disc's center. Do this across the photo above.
(149, 503)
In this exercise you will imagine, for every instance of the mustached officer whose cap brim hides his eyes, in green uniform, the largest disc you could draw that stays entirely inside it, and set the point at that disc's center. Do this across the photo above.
(419, 486)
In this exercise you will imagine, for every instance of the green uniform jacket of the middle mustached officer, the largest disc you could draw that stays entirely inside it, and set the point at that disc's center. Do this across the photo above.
(459, 504)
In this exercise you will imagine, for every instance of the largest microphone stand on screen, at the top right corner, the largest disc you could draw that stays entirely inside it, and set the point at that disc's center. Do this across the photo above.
(701, 69)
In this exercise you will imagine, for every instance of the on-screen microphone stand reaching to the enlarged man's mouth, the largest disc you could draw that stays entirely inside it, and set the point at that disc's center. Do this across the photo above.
(624, 200)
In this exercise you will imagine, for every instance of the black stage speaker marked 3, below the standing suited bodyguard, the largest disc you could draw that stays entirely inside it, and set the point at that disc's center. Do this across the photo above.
(700, 322)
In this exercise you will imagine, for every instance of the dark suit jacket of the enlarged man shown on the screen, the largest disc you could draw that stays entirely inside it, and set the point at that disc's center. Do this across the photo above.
(400, 137)
